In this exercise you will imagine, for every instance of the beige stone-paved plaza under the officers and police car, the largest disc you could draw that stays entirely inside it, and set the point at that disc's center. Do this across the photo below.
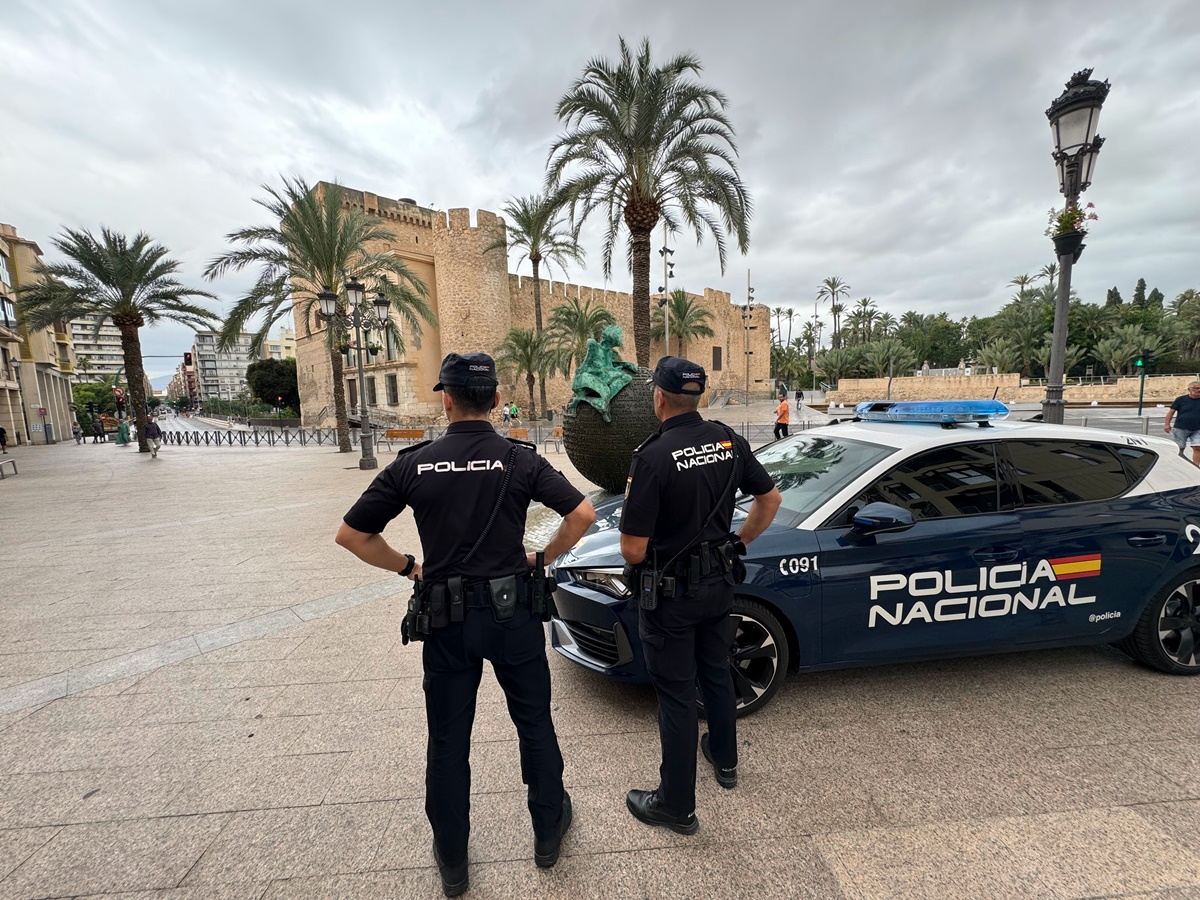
(202, 697)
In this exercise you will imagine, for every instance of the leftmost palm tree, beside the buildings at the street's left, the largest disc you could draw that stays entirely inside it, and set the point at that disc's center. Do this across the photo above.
(133, 283)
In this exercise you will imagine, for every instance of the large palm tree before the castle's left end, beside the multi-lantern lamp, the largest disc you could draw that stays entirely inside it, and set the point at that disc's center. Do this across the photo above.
(316, 245)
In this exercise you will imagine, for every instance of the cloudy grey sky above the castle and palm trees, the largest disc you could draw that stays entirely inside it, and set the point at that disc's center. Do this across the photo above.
(899, 145)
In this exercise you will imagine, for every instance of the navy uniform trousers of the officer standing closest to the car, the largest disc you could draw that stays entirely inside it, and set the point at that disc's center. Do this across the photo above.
(688, 640)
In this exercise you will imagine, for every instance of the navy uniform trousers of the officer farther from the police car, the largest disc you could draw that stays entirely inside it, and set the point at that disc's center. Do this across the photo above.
(454, 664)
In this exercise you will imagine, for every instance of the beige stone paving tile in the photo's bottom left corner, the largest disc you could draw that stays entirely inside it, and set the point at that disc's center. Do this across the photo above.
(119, 856)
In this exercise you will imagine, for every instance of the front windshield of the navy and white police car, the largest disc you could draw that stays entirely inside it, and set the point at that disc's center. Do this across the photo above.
(811, 469)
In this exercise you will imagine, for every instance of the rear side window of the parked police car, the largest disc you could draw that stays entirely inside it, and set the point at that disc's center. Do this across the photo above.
(1053, 472)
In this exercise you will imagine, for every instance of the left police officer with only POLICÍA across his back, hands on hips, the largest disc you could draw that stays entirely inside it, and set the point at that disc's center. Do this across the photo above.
(471, 609)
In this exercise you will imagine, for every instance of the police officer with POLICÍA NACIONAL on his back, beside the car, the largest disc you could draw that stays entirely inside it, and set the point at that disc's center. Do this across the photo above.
(676, 523)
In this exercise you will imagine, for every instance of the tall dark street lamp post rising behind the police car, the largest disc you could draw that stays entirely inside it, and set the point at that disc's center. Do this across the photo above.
(1075, 118)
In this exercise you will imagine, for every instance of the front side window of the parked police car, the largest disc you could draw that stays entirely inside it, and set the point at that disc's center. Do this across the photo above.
(958, 481)
